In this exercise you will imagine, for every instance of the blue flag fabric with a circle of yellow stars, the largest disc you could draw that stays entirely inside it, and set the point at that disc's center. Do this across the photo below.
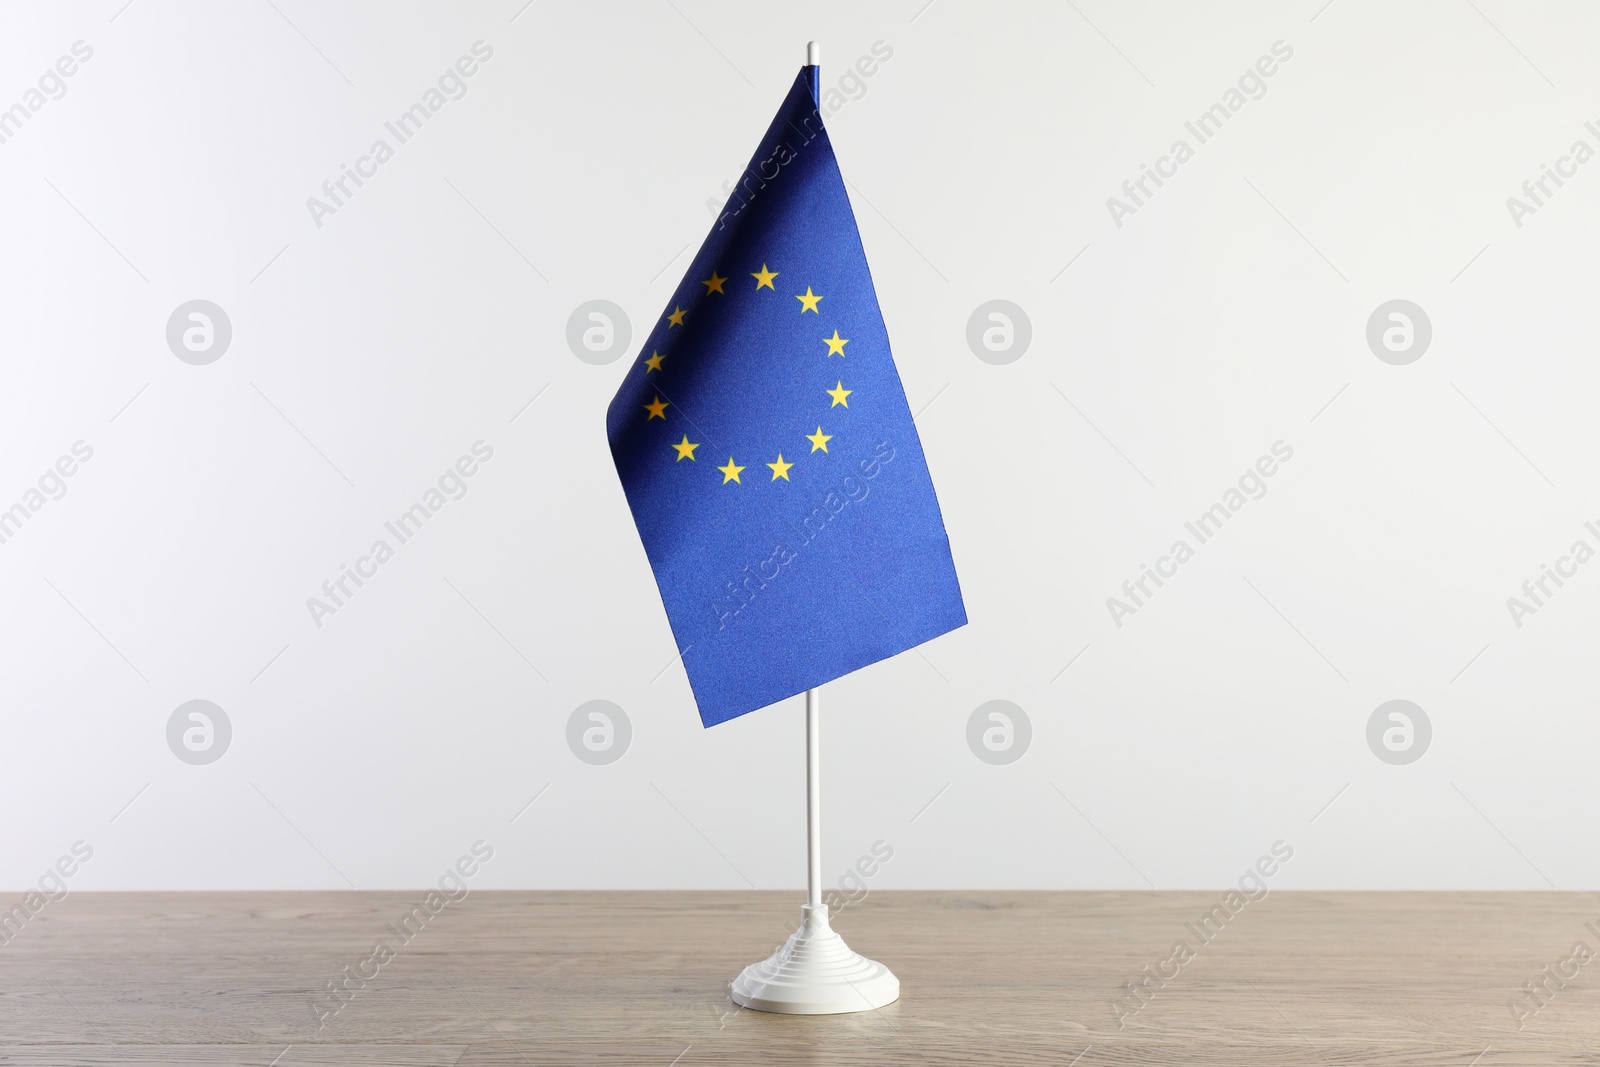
(767, 449)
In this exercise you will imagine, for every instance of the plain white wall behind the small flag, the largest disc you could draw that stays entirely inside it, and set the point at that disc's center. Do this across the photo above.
(370, 353)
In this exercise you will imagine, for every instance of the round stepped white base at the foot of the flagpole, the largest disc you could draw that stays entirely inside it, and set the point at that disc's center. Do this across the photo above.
(815, 975)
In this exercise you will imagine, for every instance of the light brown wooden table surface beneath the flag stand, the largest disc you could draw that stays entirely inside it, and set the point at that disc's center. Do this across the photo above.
(641, 978)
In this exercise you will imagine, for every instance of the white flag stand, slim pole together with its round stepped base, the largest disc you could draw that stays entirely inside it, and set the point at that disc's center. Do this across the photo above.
(815, 973)
